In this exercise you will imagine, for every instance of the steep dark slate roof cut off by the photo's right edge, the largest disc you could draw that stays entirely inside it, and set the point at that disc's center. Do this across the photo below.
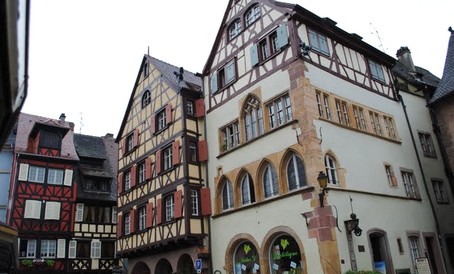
(446, 86)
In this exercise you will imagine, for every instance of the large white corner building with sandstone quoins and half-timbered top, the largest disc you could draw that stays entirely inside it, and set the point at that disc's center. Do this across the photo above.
(291, 98)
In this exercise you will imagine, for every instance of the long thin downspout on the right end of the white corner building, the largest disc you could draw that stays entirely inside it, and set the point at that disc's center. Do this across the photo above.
(437, 225)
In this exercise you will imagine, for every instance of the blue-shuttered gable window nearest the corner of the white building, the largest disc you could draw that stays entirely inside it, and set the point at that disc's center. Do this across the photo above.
(269, 45)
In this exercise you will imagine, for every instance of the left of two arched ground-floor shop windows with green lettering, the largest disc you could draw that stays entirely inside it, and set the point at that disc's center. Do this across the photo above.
(246, 258)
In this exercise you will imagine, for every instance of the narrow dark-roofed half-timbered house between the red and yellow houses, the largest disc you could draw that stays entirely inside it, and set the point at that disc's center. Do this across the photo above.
(92, 249)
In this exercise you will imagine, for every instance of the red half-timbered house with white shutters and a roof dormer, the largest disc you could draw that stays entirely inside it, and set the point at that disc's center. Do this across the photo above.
(43, 192)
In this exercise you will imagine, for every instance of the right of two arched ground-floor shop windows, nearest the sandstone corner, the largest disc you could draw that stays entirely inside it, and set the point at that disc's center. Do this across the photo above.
(285, 256)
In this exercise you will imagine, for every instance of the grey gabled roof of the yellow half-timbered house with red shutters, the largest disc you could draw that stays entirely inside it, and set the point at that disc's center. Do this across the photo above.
(171, 75)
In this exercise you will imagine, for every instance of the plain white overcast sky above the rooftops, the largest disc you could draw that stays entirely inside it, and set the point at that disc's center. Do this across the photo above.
(85, 54)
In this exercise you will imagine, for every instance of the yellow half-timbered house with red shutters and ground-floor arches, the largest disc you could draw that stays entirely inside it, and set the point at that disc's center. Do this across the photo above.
(163, 194)
